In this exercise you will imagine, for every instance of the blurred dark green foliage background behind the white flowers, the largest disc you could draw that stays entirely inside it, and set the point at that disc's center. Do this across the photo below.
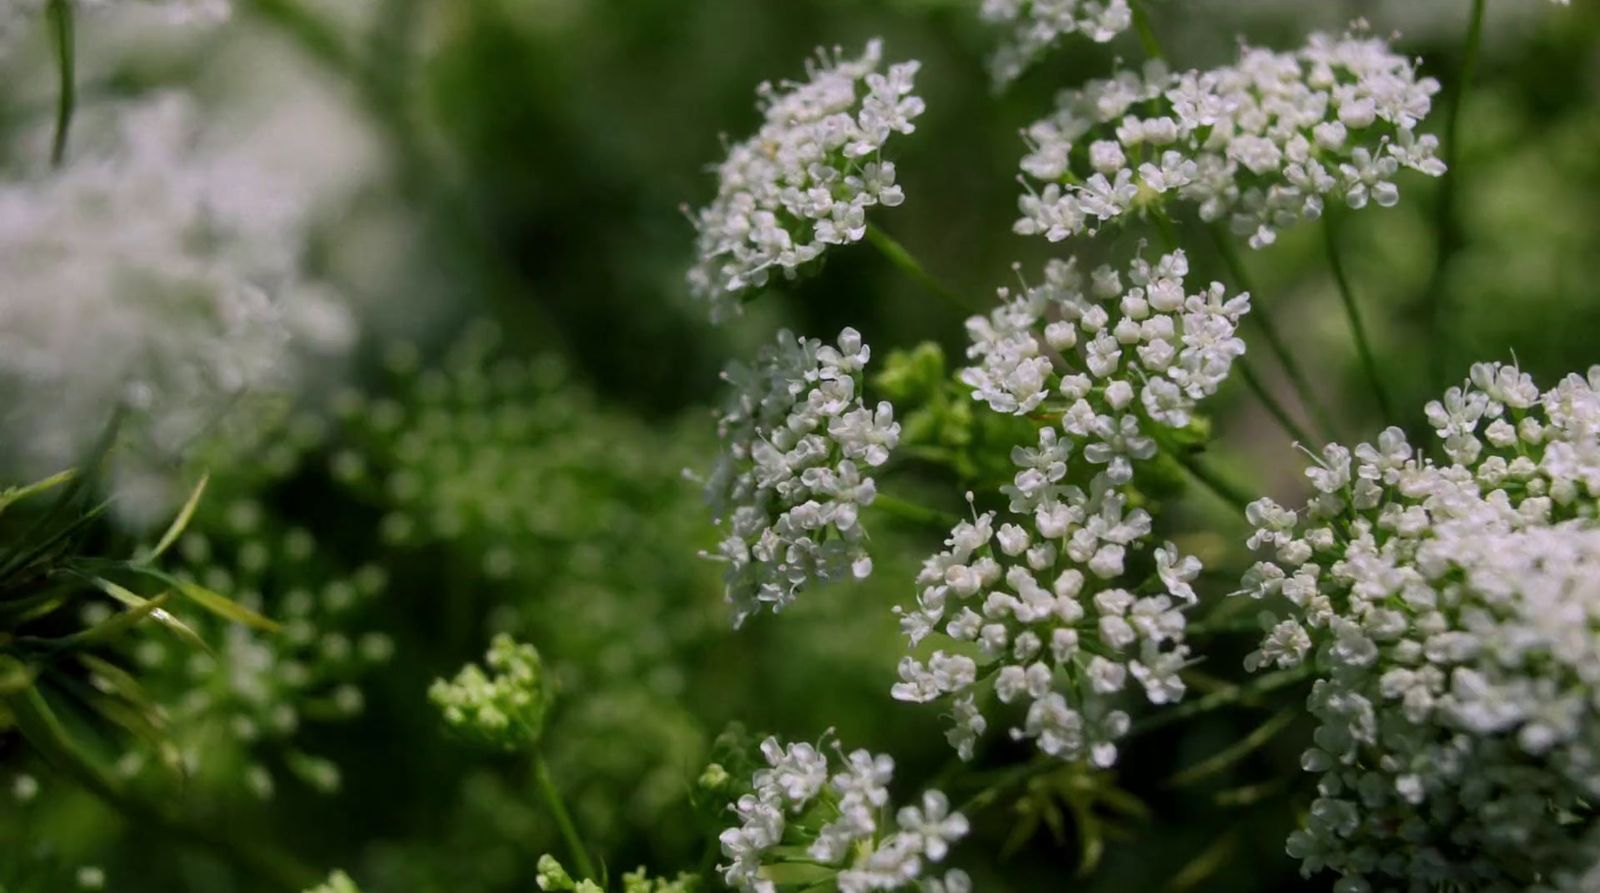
(506, 449)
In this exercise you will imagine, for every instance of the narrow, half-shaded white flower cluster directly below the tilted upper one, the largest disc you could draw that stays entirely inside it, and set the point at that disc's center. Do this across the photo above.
(799, 444)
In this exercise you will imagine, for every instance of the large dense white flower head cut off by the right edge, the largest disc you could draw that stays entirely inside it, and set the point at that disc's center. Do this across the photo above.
(1450, 612)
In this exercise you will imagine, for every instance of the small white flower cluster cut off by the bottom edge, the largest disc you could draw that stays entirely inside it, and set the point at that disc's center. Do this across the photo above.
(838, 817)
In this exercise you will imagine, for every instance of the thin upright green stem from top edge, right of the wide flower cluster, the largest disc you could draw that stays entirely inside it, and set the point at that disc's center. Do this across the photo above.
(1446, 218)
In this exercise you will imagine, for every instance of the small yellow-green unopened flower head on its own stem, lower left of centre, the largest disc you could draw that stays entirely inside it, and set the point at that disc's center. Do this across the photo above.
(500, 710)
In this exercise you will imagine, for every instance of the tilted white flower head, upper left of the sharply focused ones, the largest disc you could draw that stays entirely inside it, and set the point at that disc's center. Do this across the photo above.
(807, 178)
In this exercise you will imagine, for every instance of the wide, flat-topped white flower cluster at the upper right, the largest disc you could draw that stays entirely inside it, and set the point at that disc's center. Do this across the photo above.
(1258, 145)
